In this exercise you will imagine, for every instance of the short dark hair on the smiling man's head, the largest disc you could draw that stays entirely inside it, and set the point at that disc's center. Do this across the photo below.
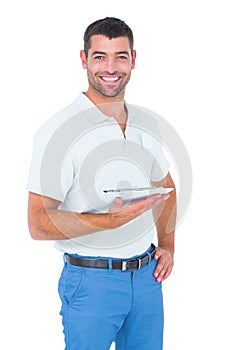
(111, 27)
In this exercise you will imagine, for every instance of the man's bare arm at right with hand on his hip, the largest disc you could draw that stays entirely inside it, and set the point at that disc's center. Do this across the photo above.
(165, 221)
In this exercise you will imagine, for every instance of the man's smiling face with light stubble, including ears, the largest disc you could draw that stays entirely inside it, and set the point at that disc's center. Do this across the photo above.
(109, 64)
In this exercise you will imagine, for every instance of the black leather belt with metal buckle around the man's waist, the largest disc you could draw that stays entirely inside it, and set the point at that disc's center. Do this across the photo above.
(123, 265)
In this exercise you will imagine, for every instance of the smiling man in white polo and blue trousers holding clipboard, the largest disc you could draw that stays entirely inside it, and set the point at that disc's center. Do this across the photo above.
(110, 286)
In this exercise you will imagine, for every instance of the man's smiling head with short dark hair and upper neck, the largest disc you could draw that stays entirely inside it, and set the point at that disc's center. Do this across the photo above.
(108, 57)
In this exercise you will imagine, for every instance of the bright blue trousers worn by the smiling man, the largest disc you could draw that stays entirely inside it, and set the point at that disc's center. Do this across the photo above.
(100, 306)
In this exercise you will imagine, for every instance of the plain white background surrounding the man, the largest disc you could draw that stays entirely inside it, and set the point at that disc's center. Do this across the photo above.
(184, 72)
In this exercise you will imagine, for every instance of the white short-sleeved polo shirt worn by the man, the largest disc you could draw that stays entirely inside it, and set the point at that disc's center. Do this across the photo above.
(79, 153)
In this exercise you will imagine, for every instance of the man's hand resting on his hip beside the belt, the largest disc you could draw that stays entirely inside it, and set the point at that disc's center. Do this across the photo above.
(165, 264)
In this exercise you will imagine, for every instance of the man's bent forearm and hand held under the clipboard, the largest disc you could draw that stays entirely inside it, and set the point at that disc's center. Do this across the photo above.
(47, 222)
